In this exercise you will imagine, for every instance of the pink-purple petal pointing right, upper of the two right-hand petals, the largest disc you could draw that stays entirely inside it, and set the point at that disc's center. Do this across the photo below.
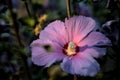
(95, 39)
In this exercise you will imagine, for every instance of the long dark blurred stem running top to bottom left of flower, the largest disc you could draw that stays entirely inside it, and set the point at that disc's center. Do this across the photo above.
(16, 29)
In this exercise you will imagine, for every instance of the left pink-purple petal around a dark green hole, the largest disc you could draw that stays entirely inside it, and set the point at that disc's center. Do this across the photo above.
(43, 58)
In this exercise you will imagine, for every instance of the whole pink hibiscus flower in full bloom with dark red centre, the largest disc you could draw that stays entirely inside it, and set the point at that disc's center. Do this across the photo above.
(74, 43)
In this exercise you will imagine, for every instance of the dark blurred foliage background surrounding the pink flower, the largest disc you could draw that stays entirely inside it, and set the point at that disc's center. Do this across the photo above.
(22, 20)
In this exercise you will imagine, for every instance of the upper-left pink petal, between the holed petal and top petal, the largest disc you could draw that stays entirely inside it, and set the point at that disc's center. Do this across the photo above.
(56, 32)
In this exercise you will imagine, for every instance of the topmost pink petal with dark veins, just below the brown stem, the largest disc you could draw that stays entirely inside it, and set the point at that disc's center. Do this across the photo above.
(78, 27)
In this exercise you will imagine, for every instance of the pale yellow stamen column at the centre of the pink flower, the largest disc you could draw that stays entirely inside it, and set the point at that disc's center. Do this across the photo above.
(71, 49)
